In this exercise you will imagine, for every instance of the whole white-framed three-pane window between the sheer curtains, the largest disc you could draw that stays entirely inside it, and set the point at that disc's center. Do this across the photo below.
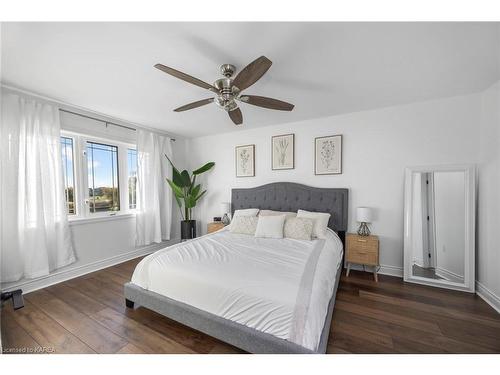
(100, 175)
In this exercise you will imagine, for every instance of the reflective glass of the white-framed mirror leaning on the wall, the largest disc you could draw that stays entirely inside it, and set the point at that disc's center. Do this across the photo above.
(438, 225)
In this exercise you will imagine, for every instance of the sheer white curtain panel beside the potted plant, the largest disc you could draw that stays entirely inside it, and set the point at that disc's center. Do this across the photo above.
(154, 196)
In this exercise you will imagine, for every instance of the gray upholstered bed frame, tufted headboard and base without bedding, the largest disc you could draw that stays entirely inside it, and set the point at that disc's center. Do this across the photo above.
(281, 196)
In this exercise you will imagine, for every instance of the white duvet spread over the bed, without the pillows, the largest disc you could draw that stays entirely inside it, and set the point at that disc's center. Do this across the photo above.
(278, 286)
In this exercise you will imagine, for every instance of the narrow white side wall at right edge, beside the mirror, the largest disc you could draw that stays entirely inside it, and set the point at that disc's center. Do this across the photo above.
(488, 233)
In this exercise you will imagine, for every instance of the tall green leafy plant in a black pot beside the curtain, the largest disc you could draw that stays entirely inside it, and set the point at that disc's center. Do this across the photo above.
(187, 193)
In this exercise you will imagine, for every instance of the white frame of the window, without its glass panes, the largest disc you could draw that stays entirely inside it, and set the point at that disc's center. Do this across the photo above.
(80, 167)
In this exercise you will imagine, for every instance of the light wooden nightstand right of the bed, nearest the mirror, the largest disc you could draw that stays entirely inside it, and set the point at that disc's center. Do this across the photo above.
(362, 250)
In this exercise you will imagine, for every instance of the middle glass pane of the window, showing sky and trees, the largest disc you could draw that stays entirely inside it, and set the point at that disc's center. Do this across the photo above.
(104, 193)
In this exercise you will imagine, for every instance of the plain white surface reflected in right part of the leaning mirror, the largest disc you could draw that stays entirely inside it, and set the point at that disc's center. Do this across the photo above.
(449, 211)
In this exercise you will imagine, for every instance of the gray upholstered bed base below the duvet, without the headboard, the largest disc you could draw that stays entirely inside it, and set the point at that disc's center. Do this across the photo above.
(236, 334)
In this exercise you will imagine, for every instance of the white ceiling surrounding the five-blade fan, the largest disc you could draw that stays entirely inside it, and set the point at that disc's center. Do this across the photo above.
(322, 68)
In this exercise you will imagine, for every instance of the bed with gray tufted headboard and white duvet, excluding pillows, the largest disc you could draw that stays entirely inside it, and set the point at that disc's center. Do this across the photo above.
(261, 295)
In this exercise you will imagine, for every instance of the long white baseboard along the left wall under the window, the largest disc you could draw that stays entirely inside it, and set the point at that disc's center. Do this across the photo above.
(70, 273)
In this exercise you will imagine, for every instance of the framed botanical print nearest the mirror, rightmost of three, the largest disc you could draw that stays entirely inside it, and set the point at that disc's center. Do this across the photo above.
(328, 155)
